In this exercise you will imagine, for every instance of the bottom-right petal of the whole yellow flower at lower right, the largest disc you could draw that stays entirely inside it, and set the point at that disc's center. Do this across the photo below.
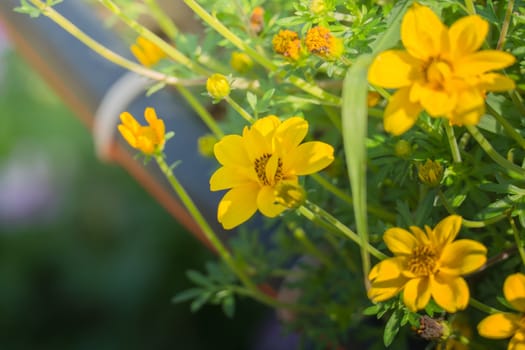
(450, 292)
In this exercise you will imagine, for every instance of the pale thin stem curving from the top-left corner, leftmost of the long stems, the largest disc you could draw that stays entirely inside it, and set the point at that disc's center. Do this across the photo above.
(104, 51)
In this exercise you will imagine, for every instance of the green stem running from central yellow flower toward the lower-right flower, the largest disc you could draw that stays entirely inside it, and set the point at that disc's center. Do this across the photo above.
(317, 214)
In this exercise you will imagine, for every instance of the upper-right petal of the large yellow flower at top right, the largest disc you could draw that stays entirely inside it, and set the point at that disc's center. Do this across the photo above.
(467, 35)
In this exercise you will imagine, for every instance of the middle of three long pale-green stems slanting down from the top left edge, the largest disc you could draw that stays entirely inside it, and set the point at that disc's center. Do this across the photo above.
(149, 35)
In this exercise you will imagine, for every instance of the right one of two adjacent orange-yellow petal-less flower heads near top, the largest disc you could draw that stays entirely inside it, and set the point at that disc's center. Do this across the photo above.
(320, 41)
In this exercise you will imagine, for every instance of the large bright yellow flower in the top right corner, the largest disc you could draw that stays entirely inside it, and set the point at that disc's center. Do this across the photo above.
(441, 70)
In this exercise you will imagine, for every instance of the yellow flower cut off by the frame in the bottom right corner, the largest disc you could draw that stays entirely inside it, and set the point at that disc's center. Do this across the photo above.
(506, 325)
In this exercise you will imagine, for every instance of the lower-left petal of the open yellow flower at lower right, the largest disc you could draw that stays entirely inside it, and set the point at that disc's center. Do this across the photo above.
(387, 279)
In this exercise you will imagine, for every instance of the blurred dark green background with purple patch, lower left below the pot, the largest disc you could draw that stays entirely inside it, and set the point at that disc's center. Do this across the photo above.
(88, 260)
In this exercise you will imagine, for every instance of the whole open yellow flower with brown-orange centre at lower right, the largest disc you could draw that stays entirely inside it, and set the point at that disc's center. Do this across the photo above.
(427, 265)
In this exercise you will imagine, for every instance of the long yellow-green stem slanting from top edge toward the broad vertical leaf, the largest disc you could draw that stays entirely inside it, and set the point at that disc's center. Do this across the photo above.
(258, 57)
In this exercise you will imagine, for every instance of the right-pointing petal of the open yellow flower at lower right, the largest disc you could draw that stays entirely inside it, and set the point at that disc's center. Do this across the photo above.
(462, 257)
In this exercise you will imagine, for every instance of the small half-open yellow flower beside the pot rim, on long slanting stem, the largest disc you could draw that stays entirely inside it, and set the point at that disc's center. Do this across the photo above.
(149, 139)
